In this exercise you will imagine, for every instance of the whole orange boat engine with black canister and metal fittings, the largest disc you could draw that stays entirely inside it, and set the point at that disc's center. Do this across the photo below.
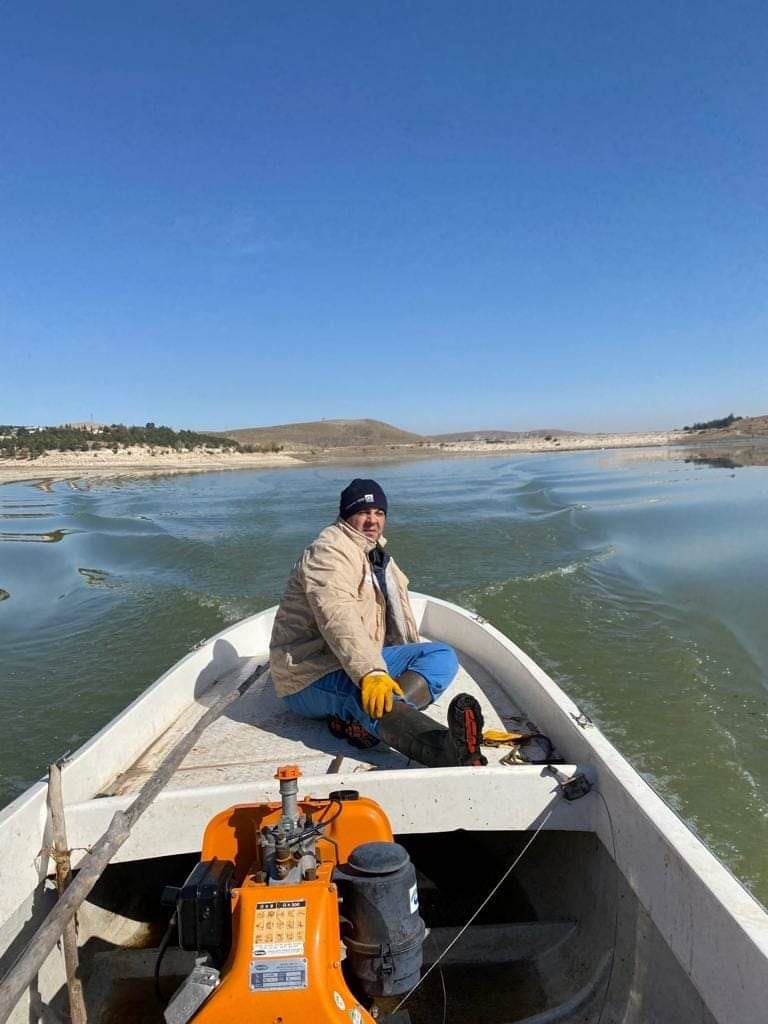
(262, 911)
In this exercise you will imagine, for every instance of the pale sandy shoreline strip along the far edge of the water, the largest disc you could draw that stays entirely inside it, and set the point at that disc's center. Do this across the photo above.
(142, 462)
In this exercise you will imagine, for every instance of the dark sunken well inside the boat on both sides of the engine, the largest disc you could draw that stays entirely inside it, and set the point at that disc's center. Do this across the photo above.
(562, 941)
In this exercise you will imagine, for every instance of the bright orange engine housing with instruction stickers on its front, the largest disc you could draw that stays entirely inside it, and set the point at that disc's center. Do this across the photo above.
(285, 962)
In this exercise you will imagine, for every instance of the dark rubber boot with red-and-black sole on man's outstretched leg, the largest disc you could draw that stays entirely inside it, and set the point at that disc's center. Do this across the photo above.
(415, 735)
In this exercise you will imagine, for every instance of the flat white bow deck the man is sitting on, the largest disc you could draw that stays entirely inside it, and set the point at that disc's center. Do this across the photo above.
(258, 733)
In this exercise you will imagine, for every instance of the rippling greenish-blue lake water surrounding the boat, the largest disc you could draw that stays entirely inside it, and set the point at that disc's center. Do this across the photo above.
(638, 581)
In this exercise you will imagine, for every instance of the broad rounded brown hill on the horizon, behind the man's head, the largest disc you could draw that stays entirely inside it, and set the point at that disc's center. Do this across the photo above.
(325, 434)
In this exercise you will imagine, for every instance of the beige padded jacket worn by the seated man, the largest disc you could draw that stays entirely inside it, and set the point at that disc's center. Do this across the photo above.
(333, 614)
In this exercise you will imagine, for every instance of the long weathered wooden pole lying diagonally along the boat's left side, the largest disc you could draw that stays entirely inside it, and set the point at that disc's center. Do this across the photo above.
(93, 867)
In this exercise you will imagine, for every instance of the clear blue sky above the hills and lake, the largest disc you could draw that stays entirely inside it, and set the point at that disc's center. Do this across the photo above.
(444, 216)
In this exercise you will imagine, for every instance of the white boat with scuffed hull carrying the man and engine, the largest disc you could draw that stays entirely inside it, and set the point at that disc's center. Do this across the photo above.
(615, 913)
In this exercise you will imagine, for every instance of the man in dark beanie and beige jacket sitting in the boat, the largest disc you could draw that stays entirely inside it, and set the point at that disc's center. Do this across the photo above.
(346, 646)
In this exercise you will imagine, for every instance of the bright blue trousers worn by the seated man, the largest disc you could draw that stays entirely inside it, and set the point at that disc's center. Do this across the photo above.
(337, 695)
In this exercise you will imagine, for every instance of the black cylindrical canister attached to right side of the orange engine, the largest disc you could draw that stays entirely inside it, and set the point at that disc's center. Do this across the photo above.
(381, 927)
